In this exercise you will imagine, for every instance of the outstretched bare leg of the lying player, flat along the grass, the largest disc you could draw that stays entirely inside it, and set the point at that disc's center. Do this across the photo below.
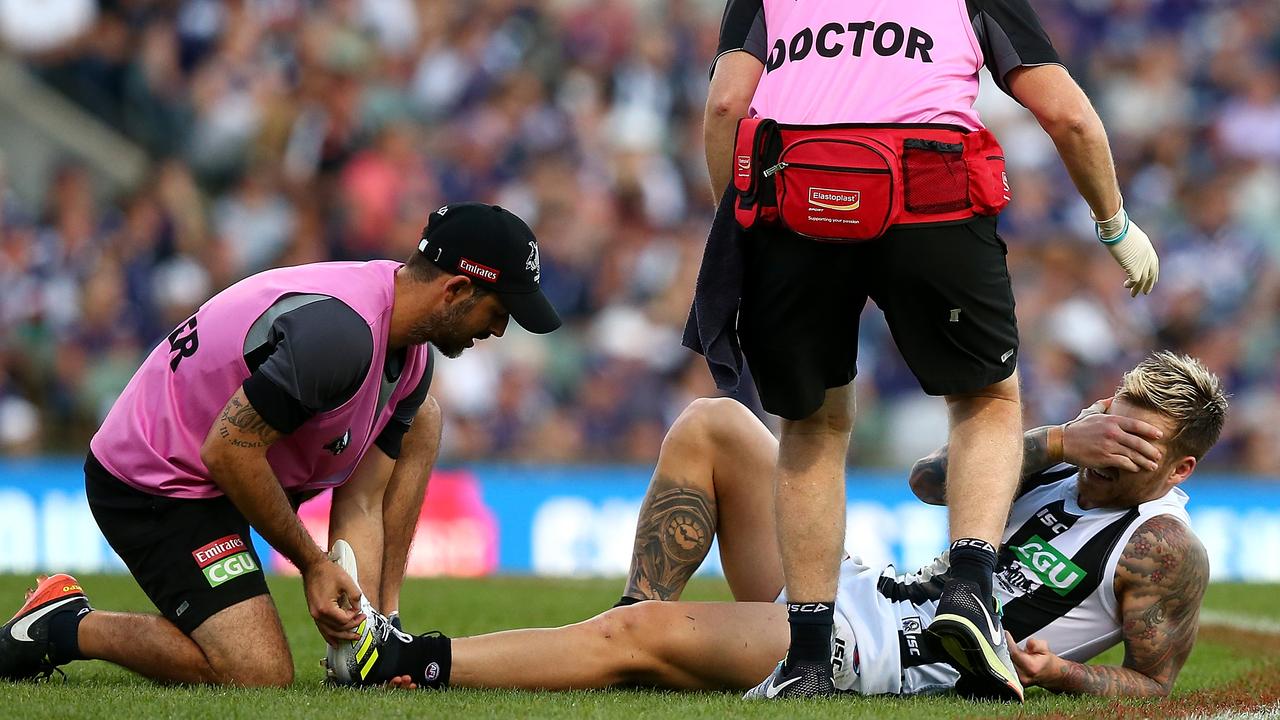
(670, 645)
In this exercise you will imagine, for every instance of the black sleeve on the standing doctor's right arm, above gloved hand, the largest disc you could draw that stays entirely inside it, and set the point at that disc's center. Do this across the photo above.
(1012, 37)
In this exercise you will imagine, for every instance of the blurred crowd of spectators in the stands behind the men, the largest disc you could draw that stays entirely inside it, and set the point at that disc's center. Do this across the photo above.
(296, 131)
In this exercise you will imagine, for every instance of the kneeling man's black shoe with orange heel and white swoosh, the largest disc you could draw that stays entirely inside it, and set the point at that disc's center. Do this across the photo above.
(25, 648)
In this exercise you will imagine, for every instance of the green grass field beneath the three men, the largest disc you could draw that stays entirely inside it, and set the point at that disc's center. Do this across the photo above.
(1235, 667)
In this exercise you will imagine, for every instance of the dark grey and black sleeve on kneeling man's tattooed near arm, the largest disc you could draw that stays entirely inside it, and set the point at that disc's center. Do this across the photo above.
(319, 354)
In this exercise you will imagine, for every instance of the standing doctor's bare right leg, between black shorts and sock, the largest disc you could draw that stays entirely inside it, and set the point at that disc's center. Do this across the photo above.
(986, 459)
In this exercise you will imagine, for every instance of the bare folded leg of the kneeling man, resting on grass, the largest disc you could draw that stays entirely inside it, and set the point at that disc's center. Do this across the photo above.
(244, 646)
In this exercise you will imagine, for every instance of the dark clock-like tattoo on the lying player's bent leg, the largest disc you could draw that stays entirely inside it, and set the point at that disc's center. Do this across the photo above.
(673, 539)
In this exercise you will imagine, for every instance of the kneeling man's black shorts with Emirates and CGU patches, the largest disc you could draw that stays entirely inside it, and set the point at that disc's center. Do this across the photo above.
(193, 558)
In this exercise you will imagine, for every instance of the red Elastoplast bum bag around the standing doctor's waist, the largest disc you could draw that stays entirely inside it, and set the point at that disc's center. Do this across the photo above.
(852, 183)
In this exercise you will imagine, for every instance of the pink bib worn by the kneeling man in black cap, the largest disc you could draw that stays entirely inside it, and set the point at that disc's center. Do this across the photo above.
(152, 438)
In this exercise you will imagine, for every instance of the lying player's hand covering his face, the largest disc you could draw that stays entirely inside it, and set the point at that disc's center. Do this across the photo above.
(1098, 440)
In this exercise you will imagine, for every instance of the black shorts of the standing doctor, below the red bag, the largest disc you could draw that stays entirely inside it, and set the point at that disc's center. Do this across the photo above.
(944, 290)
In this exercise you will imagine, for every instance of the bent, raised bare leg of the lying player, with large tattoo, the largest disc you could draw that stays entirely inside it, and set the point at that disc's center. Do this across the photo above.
(711, 479)
